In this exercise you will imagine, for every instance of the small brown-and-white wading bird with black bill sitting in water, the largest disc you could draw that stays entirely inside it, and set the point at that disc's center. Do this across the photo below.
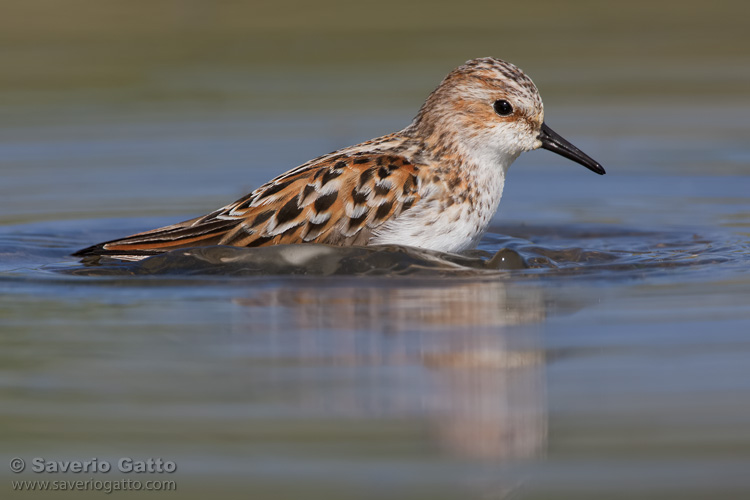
(435, 184)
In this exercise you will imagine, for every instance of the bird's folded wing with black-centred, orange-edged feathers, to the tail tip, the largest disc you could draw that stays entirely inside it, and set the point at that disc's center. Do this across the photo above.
(339, 199)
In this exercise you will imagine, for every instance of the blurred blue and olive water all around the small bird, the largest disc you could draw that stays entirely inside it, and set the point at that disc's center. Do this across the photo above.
(626, 380)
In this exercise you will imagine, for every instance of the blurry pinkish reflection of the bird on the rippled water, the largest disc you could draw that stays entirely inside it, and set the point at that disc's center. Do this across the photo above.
(448, 356)
